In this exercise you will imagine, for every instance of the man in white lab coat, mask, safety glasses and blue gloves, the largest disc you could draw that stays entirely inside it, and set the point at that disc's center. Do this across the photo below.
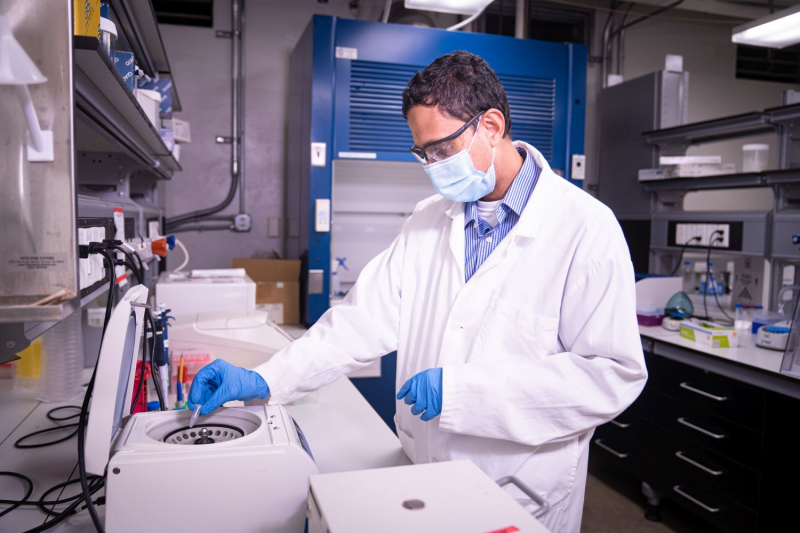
(508, 296)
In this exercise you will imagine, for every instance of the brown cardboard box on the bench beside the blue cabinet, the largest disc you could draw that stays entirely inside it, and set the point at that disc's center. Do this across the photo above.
(277, 282)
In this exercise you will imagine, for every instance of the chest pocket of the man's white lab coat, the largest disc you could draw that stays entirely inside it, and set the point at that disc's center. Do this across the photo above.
(510, 333)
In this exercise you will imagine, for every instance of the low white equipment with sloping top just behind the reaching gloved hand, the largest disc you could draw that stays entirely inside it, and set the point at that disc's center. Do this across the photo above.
(243, 338)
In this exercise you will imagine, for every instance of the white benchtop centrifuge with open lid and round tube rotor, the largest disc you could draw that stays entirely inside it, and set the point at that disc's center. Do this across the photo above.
(241, 469)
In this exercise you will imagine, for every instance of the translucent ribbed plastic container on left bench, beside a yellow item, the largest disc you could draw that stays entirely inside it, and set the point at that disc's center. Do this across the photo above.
(63, 360)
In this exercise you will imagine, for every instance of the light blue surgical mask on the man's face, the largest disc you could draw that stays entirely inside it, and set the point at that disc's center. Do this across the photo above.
(456, 178)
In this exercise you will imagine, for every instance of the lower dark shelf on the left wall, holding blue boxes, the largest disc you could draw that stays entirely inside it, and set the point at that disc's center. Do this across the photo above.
(104, 103)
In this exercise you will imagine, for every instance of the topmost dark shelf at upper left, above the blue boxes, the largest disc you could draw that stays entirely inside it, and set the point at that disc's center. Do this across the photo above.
(138, 28)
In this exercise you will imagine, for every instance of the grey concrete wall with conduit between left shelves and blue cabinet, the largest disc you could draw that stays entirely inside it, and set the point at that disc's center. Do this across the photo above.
(201, 65)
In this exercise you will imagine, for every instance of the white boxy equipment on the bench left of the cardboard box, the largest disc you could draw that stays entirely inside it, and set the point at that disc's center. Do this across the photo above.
(186, 294)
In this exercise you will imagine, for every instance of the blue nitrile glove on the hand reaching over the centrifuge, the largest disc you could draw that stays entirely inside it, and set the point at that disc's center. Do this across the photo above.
(219, 382)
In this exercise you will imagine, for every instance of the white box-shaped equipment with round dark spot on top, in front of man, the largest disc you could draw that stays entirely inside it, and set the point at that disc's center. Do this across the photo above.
(443, 496)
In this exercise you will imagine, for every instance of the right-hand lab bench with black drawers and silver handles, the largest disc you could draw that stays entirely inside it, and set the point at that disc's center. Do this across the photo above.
(712, 434)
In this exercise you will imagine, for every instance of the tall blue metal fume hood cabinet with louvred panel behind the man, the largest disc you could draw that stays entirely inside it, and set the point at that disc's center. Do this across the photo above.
(346, 84)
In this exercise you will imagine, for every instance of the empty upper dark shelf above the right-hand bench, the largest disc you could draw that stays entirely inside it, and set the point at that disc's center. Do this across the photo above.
(719, 129)
